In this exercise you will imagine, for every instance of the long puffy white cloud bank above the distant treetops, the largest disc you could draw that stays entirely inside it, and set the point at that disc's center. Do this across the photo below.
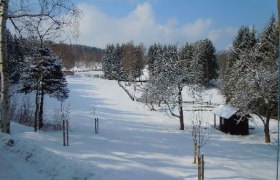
(98, 29)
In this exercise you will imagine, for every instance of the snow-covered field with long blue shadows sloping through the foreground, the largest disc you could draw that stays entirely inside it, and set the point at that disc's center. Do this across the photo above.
(133, 142)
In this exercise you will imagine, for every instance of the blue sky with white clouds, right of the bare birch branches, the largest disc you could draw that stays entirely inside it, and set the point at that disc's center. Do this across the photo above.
(170, 21)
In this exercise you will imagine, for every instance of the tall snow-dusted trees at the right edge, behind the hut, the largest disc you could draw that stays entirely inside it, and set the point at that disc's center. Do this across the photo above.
(250, 81)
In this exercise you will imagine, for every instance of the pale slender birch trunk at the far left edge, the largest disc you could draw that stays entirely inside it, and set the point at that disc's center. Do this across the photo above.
(5, 120)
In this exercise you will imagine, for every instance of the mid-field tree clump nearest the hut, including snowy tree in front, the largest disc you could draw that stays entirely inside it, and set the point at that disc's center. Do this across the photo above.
(172, 69)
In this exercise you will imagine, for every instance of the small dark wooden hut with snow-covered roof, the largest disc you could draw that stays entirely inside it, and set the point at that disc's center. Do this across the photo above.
(230, 122)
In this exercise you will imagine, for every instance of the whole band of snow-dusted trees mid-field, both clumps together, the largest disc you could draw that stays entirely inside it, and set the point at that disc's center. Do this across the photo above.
(170, 69)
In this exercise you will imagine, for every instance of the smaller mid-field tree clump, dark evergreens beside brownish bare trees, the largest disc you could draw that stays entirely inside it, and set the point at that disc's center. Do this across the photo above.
(124, 62)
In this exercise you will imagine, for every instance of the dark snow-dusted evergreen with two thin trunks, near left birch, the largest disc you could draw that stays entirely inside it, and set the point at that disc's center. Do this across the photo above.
(43, 74)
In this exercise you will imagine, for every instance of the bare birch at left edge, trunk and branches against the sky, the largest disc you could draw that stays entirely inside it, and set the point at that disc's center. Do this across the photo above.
(42, 18)
